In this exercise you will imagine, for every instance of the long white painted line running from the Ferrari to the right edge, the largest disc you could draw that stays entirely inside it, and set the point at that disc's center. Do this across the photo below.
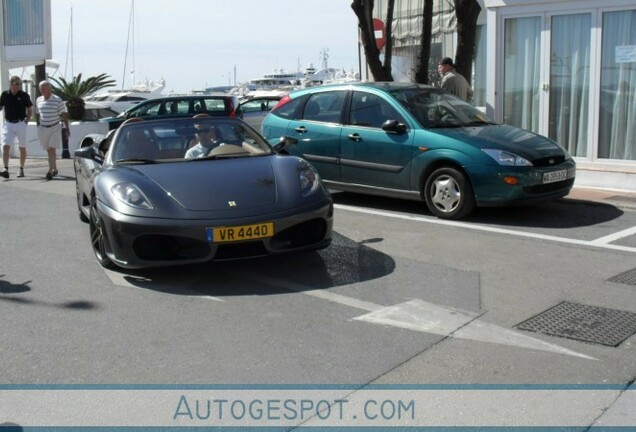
(485, 228)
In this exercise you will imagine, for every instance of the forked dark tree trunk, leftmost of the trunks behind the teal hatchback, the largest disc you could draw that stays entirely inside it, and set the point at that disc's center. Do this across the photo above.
(364, 11)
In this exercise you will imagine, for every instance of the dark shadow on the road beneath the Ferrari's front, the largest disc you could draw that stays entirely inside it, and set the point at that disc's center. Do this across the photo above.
(345, 262)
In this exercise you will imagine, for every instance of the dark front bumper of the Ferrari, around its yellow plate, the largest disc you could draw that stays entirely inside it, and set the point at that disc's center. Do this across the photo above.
(137, 242)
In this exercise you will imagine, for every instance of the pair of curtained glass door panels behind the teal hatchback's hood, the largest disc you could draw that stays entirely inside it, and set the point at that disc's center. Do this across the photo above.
(547, 77)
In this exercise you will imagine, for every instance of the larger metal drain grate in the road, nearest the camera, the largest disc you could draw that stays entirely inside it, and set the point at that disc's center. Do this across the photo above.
(585, 323)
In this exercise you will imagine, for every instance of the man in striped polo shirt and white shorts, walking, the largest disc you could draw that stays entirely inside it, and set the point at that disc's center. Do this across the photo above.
(49, 109)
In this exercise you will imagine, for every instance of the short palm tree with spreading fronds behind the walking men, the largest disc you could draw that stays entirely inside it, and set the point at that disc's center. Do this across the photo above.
(75, 90)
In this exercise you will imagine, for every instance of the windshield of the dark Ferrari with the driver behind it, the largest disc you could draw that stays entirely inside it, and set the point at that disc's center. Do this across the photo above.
(142, 142)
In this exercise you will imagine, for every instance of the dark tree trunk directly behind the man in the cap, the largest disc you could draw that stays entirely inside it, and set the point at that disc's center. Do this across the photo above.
(466, 12)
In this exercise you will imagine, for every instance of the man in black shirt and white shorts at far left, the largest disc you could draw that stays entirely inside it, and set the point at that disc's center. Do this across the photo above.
(18, 109)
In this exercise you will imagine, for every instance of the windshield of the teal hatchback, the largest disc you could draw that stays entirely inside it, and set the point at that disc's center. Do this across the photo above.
(434, 108)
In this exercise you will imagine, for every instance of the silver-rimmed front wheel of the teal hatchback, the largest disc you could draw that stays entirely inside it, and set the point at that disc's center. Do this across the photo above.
(449, 194)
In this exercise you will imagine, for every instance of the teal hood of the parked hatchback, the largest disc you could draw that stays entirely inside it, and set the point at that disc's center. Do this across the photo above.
(504, 137)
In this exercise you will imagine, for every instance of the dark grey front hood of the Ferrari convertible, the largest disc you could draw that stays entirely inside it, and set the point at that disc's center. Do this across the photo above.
(209, 185)
